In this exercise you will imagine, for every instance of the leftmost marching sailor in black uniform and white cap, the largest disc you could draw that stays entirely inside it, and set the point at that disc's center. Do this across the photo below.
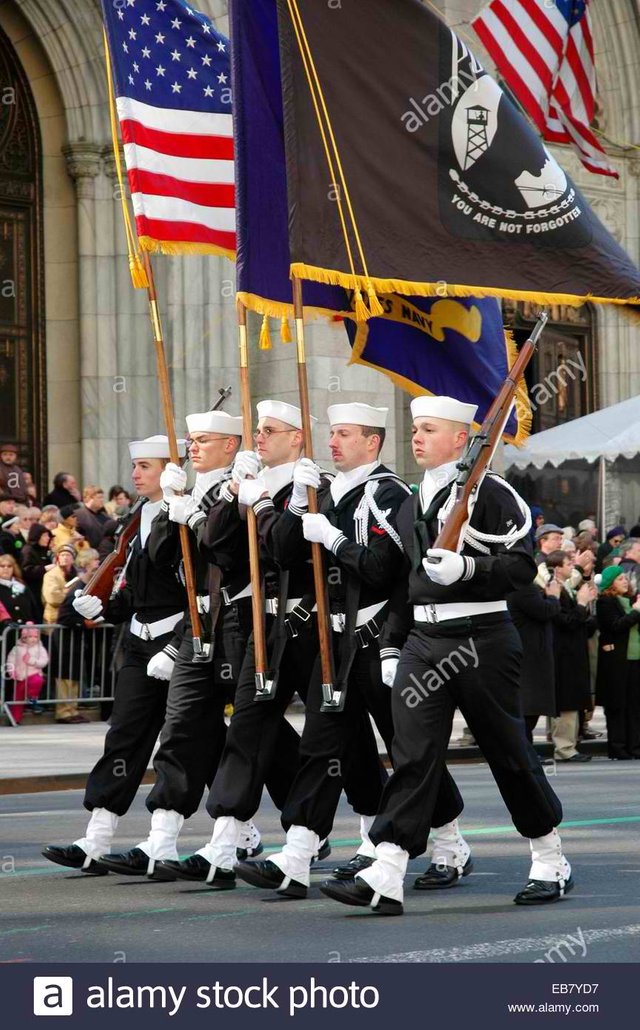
(152, 600)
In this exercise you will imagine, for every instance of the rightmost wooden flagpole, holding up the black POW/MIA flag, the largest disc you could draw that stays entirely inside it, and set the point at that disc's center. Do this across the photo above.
(332, 700)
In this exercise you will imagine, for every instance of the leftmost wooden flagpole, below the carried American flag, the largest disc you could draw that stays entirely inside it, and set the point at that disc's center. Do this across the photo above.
(167, 409)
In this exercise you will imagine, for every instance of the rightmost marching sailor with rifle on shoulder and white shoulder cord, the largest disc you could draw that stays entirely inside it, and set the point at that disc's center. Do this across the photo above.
(459, 649)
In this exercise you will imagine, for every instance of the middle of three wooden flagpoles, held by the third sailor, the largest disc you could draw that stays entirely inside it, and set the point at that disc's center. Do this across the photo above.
(263, 689)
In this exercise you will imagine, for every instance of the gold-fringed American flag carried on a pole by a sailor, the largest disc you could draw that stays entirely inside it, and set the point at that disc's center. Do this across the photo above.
(173, 84)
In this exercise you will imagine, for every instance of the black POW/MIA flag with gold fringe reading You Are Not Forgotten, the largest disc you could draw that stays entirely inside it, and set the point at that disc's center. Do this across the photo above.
(447, 189)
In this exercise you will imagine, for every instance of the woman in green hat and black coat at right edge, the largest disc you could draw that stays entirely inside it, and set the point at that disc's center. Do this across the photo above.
(618, 684)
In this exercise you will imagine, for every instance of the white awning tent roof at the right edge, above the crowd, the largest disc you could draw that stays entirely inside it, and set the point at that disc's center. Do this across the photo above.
(609, 434)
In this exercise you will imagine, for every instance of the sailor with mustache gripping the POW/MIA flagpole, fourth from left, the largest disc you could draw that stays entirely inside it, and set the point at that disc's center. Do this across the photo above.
(358, 529)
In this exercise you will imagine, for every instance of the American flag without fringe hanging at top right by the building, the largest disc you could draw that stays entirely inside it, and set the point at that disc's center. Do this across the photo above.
(545, 51)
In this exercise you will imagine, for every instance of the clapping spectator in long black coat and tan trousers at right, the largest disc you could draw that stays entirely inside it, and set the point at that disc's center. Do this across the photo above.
(574, 625)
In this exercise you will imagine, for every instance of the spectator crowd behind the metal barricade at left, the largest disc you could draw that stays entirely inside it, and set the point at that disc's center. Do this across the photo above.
(49, 551)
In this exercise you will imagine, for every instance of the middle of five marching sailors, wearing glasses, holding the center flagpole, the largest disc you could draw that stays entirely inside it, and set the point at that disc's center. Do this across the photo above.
(255, 737)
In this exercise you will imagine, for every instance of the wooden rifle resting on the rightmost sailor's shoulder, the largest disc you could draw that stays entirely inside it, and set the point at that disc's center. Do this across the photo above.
(483, 445)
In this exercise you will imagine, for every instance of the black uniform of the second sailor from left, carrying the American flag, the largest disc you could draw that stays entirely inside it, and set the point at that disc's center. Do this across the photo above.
(194, 734)
